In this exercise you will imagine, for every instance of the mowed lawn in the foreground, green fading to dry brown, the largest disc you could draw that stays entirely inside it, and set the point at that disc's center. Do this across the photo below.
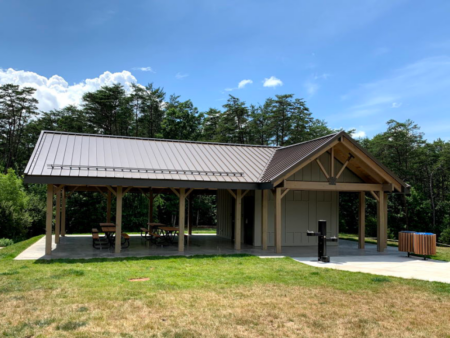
(211, 296)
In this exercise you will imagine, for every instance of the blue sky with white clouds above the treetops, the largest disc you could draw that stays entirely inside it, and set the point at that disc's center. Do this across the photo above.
(356, 63)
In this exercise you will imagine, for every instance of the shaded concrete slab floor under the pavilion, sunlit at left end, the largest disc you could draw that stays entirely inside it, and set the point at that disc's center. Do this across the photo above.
(80, 247)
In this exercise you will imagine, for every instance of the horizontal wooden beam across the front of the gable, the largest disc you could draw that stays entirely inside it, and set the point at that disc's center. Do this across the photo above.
(326, 186)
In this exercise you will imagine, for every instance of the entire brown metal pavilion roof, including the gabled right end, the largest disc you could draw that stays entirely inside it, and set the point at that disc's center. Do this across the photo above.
(91, 159)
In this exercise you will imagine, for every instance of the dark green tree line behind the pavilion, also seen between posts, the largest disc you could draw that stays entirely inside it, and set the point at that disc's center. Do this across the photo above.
(281, 120)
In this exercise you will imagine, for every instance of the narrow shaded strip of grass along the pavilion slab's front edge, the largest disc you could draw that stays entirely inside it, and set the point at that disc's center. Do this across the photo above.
(128, 259)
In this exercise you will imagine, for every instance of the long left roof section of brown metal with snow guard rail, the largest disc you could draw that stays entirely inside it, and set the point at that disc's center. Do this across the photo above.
(60, 154)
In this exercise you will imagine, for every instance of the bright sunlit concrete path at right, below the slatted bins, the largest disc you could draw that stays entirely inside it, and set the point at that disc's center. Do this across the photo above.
(389, 265)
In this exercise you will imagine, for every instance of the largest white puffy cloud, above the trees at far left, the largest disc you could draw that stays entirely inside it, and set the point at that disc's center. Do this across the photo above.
(56, 93)
